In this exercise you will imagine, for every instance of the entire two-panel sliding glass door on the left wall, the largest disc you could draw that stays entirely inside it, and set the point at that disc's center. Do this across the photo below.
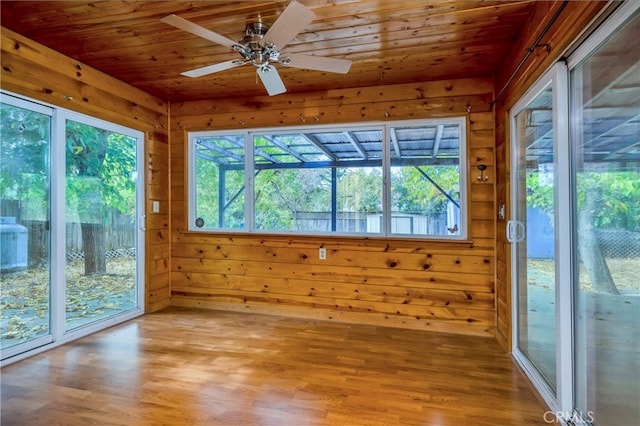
(70, 204)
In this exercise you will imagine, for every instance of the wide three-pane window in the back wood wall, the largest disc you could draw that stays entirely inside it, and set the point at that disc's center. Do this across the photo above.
(332, 180)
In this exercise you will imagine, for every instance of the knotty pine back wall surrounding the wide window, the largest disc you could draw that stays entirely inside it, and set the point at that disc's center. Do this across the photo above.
(419, 284)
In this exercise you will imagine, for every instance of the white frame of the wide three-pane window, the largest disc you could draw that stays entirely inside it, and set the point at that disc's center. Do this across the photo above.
(383, 126)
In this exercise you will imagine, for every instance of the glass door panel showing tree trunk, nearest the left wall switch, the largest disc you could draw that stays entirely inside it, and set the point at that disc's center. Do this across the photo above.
(101, 232)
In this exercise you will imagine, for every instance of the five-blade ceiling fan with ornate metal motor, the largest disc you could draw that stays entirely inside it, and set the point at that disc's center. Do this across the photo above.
(261, 47)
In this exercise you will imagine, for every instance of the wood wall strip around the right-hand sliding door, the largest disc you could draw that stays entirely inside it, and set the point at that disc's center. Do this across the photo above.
(572, 21)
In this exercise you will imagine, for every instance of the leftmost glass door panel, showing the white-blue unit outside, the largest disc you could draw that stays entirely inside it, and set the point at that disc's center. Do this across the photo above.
(25, 135)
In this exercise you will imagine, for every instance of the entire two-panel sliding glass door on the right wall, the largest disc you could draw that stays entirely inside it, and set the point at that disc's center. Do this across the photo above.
(575, 229)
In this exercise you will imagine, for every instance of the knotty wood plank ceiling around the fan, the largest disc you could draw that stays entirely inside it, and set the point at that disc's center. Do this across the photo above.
(389, 41)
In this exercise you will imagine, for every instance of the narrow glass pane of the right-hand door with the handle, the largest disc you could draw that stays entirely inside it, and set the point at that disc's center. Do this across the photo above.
(535, 264)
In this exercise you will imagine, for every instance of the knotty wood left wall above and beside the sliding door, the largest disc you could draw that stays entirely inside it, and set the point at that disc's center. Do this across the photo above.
(33, 70)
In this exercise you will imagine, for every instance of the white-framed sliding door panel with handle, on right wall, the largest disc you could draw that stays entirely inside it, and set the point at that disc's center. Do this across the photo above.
(539, 148)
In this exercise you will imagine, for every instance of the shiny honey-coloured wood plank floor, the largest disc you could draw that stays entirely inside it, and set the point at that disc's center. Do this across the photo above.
(201, 367)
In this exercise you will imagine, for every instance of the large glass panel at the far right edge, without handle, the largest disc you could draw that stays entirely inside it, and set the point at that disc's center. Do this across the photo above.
(605, 92)
